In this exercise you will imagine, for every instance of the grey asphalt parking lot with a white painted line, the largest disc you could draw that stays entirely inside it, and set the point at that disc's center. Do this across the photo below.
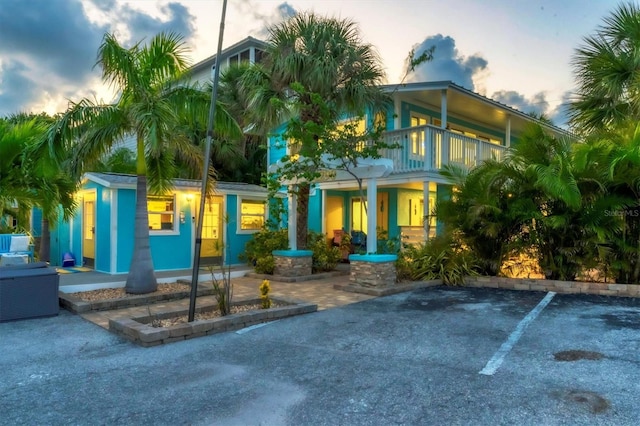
(433, 356)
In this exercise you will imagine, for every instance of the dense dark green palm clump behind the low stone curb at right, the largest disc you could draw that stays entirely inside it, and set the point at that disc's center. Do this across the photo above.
(543, 199)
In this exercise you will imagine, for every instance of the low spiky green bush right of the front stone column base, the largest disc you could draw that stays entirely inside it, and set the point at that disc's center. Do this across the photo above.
(439, 258)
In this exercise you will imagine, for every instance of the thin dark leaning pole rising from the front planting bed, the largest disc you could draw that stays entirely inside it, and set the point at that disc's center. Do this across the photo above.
(205, 171)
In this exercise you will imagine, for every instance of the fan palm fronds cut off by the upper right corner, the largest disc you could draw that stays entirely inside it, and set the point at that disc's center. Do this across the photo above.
(608, 72)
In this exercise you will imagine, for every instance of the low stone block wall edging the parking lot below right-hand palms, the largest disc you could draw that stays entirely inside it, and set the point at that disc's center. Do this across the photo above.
(570, 287)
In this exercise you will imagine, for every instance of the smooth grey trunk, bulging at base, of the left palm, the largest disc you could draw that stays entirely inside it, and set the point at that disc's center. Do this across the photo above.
(141, 278)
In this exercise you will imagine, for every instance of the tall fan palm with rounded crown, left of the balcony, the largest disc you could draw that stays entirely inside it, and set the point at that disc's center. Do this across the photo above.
(310, 56)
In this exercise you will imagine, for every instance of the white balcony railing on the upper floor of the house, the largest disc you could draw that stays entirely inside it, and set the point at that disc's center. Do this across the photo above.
(428, 148)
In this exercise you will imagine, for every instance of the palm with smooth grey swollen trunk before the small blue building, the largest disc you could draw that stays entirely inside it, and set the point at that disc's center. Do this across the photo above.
(152, 104)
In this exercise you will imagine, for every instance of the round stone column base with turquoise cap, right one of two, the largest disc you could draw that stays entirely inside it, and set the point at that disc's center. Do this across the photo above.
(373, 270)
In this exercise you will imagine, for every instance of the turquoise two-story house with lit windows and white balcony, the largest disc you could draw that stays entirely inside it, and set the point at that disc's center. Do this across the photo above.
(434, 124)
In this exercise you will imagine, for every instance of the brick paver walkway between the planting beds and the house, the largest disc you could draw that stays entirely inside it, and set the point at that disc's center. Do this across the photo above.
(319, 292)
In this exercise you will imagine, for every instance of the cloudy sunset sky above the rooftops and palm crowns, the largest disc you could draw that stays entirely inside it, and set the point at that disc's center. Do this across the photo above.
(514, 51)
